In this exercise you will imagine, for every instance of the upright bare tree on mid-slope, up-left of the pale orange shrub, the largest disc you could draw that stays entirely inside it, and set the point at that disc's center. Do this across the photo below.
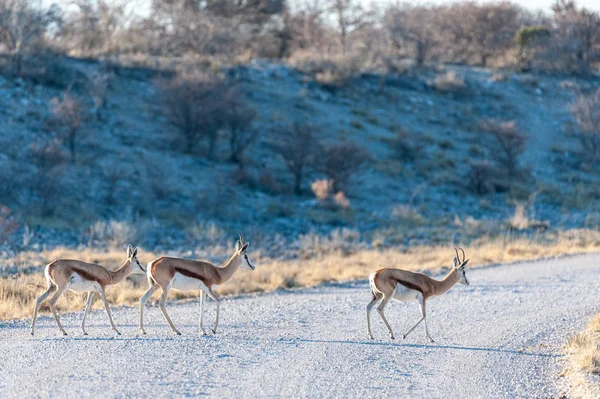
(296, 145)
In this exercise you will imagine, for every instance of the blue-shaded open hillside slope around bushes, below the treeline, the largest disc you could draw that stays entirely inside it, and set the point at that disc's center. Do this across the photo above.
(132, 181)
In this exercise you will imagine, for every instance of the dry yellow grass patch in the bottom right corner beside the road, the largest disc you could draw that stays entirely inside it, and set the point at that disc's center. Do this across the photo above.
(583, 353)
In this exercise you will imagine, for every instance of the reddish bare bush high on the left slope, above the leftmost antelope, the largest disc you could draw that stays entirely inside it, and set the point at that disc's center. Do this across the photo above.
(69, 113)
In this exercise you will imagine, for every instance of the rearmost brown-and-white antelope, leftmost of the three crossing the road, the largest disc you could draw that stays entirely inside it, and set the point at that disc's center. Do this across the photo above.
(75, 275)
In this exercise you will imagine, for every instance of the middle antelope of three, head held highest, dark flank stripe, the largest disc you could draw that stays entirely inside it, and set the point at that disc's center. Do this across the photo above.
(188, 275)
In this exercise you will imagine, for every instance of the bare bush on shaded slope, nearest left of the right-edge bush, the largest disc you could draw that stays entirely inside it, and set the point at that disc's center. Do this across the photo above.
(507, 147)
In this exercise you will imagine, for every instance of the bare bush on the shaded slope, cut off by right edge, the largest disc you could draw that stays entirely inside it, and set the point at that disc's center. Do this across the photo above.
(586, 111)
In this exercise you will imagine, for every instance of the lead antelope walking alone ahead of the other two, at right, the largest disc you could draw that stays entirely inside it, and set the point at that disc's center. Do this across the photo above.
(404, 286)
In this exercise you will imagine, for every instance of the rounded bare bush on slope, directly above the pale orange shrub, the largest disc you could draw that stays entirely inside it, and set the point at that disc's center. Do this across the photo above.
(339, 162)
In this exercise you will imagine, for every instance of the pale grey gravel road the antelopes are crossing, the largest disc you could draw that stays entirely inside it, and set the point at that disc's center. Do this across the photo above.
(499, 337)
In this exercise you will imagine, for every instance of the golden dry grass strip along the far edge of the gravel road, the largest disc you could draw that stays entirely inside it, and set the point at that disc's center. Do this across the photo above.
(17, 295)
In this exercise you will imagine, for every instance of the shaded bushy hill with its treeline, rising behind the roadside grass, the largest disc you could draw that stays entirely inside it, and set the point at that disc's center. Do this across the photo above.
(326, 128)
